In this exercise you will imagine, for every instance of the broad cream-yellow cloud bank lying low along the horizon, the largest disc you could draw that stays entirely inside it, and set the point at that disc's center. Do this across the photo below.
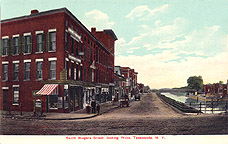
(155, 72)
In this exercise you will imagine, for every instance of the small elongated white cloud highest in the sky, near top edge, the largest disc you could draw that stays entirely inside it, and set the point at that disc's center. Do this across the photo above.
(145, 13)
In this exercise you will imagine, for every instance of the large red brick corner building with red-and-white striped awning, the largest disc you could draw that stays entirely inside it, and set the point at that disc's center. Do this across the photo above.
(53, 58)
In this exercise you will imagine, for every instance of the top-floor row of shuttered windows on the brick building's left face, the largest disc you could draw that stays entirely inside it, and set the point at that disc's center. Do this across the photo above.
(23, 44)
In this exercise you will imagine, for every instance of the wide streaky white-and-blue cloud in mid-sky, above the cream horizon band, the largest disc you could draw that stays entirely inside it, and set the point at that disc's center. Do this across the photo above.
(178, 37)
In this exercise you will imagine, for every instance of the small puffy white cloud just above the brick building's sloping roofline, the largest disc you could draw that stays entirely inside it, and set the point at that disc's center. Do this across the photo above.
(98, 19)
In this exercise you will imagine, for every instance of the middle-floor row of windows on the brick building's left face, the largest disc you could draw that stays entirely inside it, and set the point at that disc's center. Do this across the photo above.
(39, 71)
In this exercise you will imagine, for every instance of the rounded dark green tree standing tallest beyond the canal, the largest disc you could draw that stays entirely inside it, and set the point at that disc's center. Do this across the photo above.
(195, 82)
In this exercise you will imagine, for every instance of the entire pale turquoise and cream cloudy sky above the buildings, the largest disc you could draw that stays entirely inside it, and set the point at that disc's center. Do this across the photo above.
(165, 41)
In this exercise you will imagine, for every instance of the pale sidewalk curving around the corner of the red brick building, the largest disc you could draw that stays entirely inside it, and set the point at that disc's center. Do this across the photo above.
(80, 114)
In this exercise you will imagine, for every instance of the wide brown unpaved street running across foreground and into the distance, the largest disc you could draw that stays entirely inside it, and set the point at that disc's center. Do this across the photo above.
(148, 116)
